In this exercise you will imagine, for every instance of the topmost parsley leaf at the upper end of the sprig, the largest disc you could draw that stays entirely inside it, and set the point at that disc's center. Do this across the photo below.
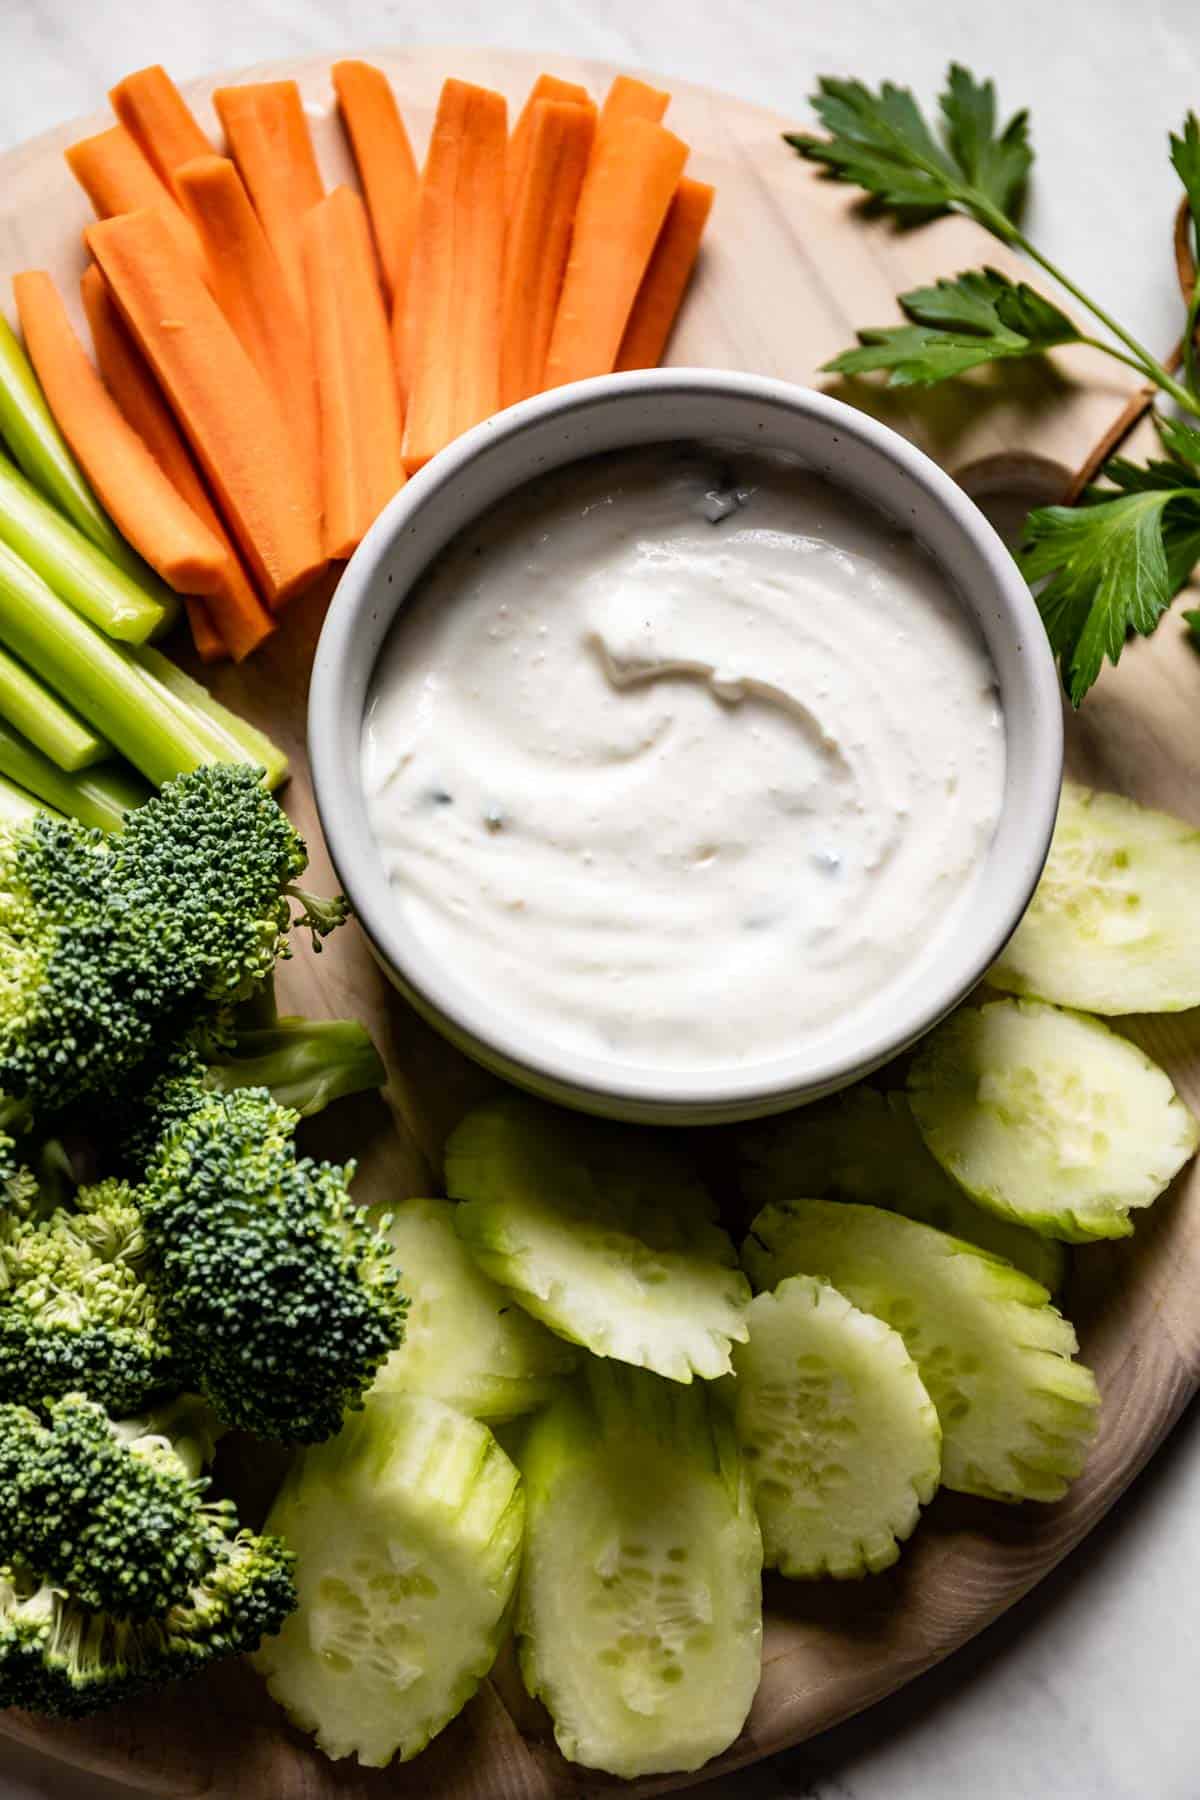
(884, 145)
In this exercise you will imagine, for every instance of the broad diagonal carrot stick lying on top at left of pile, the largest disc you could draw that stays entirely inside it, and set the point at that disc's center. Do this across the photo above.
(220, 399)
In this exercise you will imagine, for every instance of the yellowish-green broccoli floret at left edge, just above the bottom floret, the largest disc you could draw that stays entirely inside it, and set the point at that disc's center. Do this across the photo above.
(76, 1309)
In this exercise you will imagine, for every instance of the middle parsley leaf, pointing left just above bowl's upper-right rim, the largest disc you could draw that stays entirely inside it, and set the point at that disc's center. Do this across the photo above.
(960, 325)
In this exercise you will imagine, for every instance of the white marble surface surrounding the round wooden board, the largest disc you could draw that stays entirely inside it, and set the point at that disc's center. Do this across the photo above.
(1089, 1689)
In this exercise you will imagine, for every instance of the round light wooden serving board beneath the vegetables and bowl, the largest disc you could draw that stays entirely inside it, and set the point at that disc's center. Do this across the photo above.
(789, 271)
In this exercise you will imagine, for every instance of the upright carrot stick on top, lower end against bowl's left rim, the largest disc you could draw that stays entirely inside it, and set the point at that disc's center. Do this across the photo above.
(361, 431)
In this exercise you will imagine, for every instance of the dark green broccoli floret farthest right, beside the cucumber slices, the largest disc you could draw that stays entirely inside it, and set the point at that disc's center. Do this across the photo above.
(282, 1297)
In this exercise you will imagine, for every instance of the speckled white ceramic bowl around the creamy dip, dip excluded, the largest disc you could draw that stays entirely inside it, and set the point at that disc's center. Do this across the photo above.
(663, 406)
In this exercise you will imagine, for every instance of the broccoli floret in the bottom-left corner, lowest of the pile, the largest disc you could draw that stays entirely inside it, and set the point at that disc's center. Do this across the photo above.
(116, 1574)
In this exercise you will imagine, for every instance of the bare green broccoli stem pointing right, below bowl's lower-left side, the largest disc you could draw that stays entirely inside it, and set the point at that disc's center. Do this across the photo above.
(303, 1063)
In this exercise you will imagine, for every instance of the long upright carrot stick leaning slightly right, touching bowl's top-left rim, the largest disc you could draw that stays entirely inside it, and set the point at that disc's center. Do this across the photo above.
(452, 314)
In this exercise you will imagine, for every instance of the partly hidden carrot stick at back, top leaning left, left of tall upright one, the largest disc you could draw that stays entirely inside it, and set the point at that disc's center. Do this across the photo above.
(388, 168)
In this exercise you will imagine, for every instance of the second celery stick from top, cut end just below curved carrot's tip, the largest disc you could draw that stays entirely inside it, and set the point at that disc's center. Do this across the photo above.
(125, 606)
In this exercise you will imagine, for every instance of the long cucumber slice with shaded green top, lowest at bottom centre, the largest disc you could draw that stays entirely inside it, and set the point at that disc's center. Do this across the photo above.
(640, 1619)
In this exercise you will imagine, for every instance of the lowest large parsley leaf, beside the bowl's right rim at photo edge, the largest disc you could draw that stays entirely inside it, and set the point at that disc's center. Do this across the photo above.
(1115, 562)
